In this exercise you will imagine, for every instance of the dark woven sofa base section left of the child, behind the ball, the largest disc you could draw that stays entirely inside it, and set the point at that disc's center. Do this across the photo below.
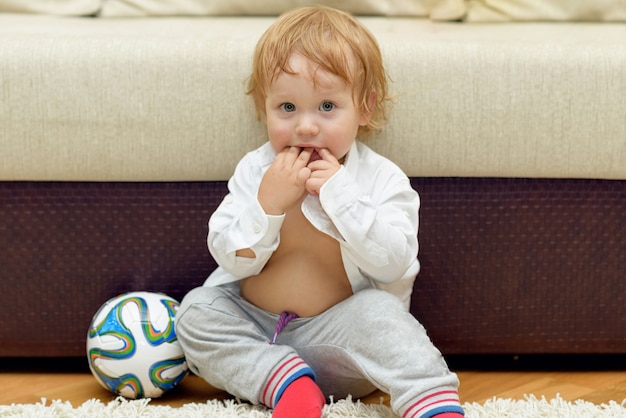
(69, 247)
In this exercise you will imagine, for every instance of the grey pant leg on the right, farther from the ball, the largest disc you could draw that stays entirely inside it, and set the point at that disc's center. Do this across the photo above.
(371, 336)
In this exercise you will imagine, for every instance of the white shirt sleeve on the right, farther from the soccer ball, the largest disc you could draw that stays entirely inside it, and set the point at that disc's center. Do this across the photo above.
(376, 220)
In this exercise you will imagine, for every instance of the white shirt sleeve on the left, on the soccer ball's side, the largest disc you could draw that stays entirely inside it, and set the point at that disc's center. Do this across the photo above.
(240, 222)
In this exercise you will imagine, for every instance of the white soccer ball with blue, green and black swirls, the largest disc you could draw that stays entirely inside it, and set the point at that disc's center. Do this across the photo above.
(132, 346)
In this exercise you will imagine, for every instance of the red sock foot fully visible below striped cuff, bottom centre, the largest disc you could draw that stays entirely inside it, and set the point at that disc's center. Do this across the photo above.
(301, 399)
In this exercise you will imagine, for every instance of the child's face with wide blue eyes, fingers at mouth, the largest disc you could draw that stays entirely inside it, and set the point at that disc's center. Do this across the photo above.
(303, 114)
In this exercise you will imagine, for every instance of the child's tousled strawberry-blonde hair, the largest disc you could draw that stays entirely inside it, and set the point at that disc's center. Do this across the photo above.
(332, 39)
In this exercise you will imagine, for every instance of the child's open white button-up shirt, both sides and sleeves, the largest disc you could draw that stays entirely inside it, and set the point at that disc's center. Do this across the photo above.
(368, 206)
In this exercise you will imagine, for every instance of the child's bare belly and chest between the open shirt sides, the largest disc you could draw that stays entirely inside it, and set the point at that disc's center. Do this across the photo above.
(305, 275)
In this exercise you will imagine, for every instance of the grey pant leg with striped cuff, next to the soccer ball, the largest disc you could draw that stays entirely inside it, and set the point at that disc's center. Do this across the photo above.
(226, 341)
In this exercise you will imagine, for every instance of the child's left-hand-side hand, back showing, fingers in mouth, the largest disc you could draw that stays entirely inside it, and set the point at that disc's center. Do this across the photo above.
(284, 182)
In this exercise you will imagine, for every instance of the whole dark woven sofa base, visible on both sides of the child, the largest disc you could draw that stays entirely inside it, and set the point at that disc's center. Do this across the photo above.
(509, 266)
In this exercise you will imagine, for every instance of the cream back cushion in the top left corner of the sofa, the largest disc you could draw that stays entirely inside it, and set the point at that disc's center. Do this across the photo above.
(57, 7)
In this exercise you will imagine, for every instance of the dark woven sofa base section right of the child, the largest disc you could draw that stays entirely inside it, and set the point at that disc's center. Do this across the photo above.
(523, 266)
